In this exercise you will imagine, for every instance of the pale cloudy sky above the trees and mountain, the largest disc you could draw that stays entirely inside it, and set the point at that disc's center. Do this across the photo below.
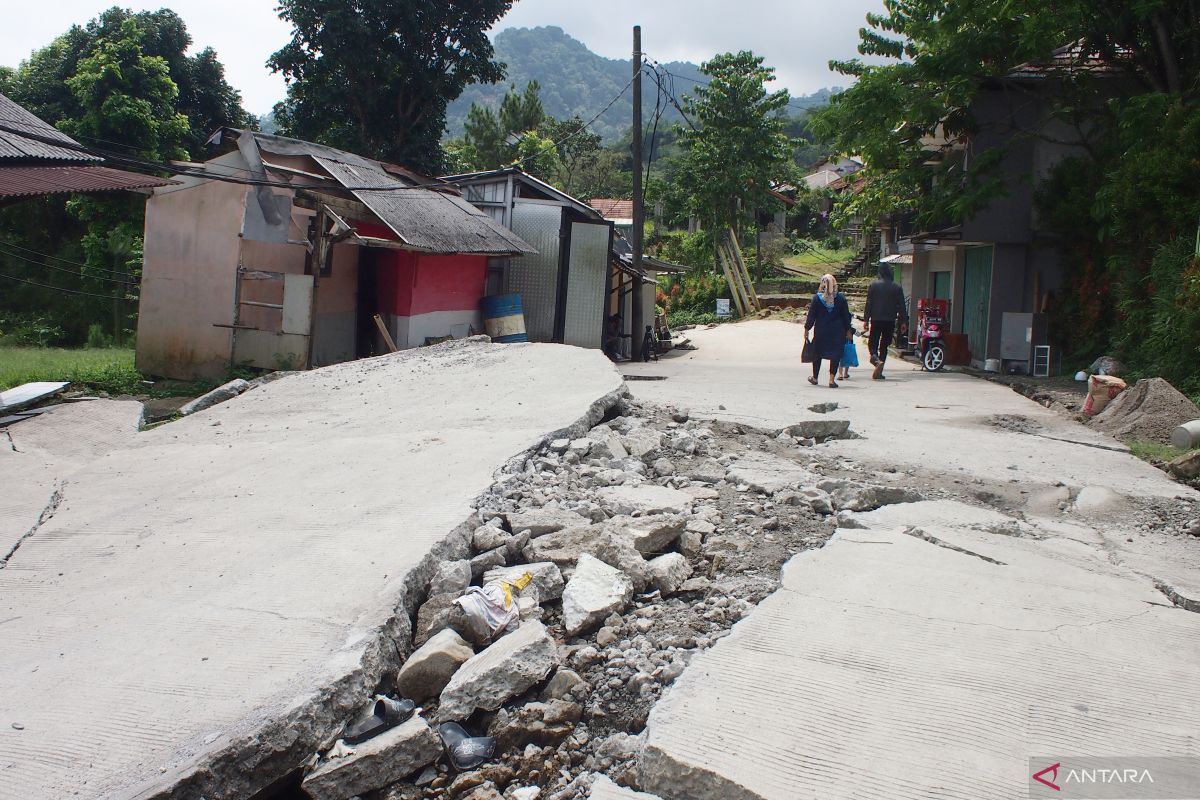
(797, 38)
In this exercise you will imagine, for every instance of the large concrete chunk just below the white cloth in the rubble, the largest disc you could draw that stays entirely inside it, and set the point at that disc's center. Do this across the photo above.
(507, 669)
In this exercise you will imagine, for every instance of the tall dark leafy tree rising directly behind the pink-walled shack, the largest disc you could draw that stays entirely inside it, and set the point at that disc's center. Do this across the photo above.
(375, 77)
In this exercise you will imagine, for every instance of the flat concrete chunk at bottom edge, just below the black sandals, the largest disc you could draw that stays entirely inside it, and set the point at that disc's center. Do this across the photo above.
(387, 759)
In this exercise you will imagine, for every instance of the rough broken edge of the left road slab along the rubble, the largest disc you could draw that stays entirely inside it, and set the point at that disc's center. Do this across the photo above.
(241, 766)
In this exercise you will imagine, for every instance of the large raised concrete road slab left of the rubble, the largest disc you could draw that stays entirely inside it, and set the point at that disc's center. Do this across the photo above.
(215, 594)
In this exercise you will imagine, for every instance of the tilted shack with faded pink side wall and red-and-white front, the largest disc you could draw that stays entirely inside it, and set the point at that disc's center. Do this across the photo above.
(279, 254)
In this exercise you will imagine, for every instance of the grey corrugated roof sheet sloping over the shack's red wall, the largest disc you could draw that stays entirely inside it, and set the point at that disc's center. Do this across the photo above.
(425, 220)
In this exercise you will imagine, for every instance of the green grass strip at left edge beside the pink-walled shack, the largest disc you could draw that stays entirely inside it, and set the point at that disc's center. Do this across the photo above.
(107, 370)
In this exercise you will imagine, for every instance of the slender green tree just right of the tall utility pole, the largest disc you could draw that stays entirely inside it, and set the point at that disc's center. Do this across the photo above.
(739, 146)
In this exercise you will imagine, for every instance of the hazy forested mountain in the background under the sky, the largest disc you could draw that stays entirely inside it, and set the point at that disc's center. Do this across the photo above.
(577, 81)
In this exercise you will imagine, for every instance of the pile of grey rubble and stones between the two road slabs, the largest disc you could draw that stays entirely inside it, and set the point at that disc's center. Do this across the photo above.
(599, 568)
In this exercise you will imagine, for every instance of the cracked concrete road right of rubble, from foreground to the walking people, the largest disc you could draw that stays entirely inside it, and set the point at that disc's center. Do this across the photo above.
(931, 649)
